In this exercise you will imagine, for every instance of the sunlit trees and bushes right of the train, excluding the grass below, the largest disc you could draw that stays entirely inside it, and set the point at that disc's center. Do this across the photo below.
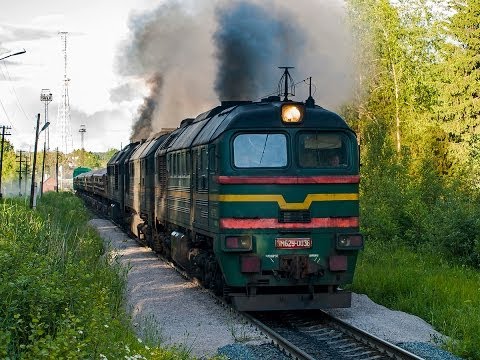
(414, 187)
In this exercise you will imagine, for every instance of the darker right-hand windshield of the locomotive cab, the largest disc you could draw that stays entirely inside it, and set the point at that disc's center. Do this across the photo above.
(322, 150)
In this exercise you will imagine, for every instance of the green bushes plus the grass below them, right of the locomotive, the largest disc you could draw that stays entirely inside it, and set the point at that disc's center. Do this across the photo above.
(424, 228)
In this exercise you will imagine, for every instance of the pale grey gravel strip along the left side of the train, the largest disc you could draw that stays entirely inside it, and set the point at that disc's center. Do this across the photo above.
(163, 302)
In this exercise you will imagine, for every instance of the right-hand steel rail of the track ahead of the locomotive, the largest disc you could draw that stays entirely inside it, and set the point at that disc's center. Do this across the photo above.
(388, 349)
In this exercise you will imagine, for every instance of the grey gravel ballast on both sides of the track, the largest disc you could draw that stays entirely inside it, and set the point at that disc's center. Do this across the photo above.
(180, 313)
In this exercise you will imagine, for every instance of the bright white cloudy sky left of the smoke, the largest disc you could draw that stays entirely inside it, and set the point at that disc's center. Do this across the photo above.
(96, 31)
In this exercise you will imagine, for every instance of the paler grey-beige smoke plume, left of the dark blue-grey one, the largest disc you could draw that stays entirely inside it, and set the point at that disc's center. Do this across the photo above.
(174, 42)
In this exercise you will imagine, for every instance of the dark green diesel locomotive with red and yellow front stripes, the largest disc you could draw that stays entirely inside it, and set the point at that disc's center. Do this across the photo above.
(257, 200)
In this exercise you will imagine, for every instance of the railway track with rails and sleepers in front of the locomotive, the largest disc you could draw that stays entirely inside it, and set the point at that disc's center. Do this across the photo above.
(317, 335)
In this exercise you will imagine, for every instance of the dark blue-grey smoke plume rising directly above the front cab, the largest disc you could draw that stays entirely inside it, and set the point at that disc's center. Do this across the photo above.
(250, 43)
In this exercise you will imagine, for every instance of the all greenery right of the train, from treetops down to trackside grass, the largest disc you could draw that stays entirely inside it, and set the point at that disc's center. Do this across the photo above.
(416, 111)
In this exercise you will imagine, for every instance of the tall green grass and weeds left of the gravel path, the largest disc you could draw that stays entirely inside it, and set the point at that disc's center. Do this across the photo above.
(60, 298)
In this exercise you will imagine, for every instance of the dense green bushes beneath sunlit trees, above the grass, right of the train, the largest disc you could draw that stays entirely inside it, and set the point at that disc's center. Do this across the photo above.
(414, 204)
